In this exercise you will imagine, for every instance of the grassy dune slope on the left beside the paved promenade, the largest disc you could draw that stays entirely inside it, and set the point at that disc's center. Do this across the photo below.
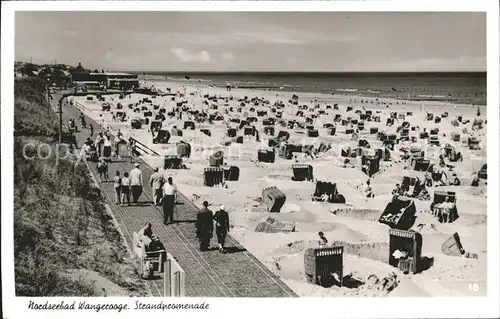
(60, 221)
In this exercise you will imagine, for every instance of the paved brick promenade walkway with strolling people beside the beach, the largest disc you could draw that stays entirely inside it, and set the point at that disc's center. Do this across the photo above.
(208, 274)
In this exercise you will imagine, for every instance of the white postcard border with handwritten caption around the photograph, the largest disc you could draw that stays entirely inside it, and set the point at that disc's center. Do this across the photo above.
(16, 307)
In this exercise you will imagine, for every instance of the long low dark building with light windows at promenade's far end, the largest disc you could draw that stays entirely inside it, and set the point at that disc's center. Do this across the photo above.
(119, 81)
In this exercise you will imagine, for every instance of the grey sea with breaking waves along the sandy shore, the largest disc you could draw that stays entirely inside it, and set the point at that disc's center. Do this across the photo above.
(460, 88)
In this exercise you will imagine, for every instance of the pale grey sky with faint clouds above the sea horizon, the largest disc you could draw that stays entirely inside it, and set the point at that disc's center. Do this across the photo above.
(255, 41)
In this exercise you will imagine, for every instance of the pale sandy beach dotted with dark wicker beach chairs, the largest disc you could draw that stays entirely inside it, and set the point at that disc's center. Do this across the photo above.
(353, 224)
